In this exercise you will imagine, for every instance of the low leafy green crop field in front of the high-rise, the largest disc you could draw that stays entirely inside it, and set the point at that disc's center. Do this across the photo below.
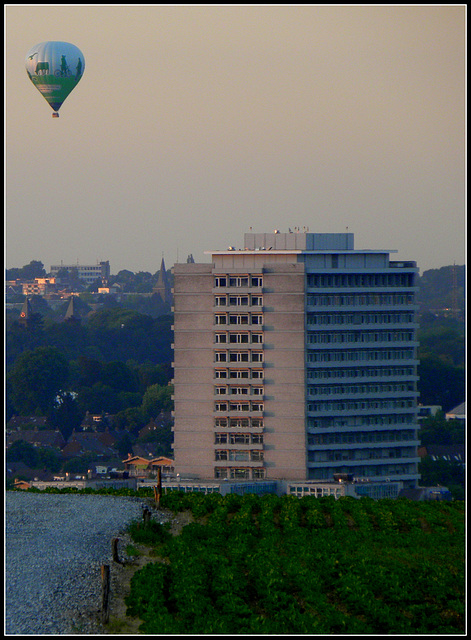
(283, 565)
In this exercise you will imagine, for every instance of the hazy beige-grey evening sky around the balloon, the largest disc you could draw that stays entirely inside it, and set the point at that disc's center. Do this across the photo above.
(194, 123)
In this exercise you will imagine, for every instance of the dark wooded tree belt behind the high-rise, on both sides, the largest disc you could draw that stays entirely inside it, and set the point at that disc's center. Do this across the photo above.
(106, 362)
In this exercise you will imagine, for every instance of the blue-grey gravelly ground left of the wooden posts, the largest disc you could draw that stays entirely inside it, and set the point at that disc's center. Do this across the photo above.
(55, 546)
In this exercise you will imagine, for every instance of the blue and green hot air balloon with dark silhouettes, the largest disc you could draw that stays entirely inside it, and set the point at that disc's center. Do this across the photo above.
(55, 68)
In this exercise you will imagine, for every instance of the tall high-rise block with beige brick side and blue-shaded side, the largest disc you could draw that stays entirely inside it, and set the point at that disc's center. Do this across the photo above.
(295, 358)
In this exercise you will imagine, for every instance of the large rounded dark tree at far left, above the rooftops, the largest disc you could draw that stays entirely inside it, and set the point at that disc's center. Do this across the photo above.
(36, 379)
